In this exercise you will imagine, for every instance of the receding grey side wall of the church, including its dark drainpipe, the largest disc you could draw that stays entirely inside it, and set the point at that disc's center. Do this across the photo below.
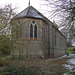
(57, 42)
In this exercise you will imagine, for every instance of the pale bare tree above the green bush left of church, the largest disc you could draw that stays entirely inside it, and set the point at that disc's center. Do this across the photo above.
(6, 13)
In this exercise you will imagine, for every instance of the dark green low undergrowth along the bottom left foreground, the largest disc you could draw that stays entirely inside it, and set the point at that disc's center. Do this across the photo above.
(22, 71)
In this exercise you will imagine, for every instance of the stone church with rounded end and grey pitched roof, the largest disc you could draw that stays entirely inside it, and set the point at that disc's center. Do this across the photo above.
(34, 35)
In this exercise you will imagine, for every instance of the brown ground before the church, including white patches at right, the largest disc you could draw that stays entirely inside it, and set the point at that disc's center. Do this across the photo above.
(57, 66)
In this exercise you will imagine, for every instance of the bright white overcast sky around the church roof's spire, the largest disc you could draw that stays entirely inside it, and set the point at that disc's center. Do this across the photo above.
(21, 4)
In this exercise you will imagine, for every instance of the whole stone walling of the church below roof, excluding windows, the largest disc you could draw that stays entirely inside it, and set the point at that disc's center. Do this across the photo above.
(50, 42)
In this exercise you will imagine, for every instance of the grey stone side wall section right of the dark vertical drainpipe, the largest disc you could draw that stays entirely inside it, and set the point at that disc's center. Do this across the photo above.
(59, 44)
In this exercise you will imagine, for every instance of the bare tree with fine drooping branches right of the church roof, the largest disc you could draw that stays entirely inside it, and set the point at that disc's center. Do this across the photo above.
(65, 11)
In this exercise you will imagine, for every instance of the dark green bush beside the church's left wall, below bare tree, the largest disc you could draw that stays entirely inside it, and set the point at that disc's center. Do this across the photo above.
(5, 45)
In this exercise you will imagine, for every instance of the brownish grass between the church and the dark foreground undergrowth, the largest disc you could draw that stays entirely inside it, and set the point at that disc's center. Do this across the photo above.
(53, 67)
